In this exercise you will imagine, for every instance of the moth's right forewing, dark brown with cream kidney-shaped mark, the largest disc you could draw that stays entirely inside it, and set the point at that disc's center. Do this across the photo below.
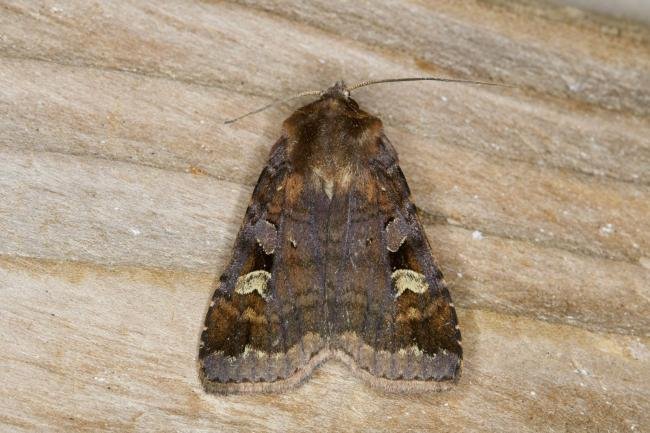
(415, 341)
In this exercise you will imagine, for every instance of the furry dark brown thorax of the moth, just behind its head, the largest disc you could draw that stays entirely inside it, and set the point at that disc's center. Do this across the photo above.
(331, 138)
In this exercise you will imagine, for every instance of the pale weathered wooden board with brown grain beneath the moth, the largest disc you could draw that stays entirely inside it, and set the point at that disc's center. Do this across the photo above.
(121, 192)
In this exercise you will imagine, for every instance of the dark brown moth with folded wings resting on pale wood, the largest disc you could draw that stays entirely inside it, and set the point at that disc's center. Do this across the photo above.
(331, 262)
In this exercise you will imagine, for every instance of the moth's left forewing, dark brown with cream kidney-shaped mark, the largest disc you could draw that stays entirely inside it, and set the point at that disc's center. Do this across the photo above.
(261, 331)
